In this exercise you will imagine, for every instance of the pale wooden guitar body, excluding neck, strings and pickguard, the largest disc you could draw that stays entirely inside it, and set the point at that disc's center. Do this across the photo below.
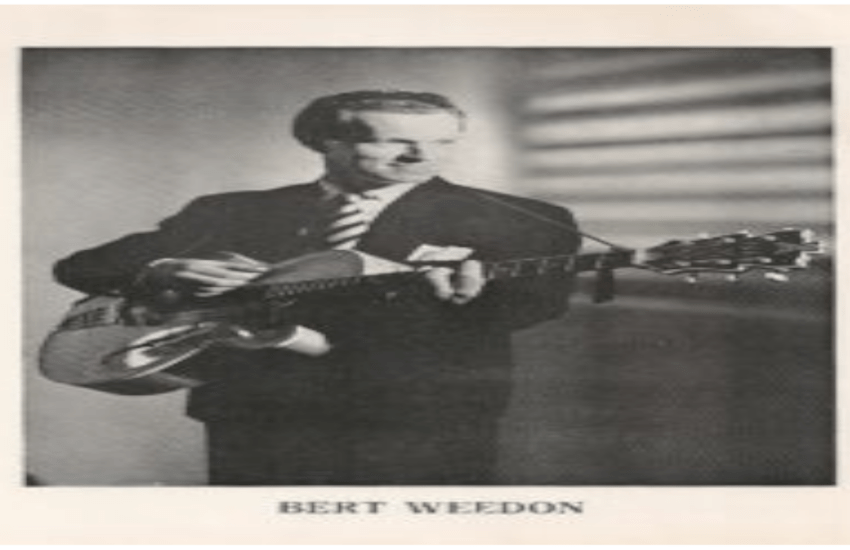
(113, 345)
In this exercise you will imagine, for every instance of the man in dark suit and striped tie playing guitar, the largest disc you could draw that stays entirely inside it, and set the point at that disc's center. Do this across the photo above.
(403, 390)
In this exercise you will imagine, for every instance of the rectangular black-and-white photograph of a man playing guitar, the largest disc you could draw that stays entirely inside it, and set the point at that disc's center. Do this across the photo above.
(428, 266)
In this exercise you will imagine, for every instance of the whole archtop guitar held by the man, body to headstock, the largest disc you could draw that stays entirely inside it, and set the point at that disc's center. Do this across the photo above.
(134, 346)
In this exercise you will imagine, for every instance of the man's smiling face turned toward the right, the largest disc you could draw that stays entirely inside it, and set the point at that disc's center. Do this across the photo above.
(391, 148)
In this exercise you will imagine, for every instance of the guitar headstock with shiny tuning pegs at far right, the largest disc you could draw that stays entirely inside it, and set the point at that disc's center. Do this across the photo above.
(775, 254)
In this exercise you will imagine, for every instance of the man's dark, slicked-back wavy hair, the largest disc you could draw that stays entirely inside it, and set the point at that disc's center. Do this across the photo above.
(323, 119)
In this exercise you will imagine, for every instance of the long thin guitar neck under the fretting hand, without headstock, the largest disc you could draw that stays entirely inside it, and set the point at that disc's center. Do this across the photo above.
(503, 269)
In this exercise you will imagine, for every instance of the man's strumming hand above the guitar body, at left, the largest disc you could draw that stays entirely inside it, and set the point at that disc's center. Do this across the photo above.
(205, 278)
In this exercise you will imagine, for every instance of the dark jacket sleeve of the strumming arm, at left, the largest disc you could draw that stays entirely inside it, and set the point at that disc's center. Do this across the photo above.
(113, 267)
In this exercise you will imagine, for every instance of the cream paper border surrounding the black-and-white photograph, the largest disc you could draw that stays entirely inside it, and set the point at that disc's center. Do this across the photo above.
(241, 515)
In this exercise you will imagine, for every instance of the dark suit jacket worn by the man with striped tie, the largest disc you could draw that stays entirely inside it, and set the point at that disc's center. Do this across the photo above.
(395, 360)
